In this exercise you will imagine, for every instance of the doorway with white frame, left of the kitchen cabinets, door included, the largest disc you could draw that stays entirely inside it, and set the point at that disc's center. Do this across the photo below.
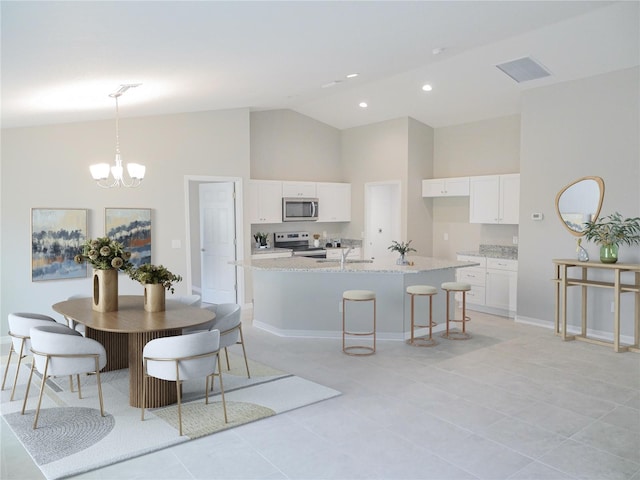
(214, 238)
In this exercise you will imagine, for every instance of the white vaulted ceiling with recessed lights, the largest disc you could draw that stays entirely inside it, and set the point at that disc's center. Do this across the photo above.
(61, 60)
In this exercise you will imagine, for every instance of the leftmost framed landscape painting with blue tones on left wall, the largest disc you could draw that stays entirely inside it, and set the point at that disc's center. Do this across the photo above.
(56, 237)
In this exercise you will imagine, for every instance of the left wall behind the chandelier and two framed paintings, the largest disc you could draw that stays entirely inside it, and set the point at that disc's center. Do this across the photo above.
(48, 167)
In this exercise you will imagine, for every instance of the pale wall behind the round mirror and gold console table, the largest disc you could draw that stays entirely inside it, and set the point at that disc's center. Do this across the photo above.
(571, 130)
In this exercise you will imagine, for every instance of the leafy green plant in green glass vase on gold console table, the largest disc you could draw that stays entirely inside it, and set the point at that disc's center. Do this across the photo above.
(610, 231)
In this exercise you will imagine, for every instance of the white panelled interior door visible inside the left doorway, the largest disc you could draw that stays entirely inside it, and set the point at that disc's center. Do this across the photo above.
(217, 242)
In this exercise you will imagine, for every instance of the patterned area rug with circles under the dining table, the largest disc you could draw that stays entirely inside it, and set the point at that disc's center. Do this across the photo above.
(72, 437)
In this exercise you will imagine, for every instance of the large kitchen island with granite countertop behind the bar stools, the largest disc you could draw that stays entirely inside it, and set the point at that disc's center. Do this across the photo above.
(302, 297)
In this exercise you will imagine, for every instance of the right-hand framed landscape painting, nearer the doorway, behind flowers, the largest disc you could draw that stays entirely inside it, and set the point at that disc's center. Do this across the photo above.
(132, 228)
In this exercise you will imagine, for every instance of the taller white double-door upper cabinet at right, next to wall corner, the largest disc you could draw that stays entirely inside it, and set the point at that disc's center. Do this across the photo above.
(494, 199)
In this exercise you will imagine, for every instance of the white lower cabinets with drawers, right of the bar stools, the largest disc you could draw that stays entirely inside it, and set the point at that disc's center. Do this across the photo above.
(493, 284)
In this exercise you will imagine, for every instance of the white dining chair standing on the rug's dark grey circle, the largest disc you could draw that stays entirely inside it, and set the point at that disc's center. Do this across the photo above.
(60, 351)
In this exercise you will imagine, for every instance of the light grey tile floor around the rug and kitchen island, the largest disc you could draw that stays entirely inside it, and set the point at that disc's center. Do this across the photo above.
(515, 402)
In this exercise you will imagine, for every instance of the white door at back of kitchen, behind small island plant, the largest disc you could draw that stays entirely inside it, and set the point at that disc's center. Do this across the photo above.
(382, 218)
